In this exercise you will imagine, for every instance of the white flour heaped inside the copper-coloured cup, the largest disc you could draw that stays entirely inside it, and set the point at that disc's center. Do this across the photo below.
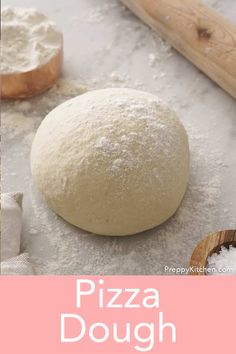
(29, 40)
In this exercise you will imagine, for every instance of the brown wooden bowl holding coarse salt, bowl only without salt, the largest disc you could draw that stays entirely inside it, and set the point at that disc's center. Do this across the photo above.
(209, 245)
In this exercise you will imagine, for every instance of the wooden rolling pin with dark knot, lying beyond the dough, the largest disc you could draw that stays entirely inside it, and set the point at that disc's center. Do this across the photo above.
(204, 37)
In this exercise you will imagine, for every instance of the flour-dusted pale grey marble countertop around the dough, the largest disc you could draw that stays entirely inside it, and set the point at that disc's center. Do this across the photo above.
(105, 45)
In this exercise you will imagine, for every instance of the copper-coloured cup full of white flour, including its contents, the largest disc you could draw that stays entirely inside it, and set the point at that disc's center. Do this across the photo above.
(31, 50)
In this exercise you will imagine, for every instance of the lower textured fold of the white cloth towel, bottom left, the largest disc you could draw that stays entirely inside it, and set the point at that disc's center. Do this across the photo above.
(19, 265)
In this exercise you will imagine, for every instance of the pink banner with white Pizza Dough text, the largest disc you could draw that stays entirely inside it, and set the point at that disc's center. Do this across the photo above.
(117, 314)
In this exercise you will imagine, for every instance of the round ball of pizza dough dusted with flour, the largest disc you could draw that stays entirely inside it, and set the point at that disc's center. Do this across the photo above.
(112, 161)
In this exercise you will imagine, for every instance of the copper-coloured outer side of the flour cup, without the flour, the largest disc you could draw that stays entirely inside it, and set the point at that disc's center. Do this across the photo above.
(34, 82)
